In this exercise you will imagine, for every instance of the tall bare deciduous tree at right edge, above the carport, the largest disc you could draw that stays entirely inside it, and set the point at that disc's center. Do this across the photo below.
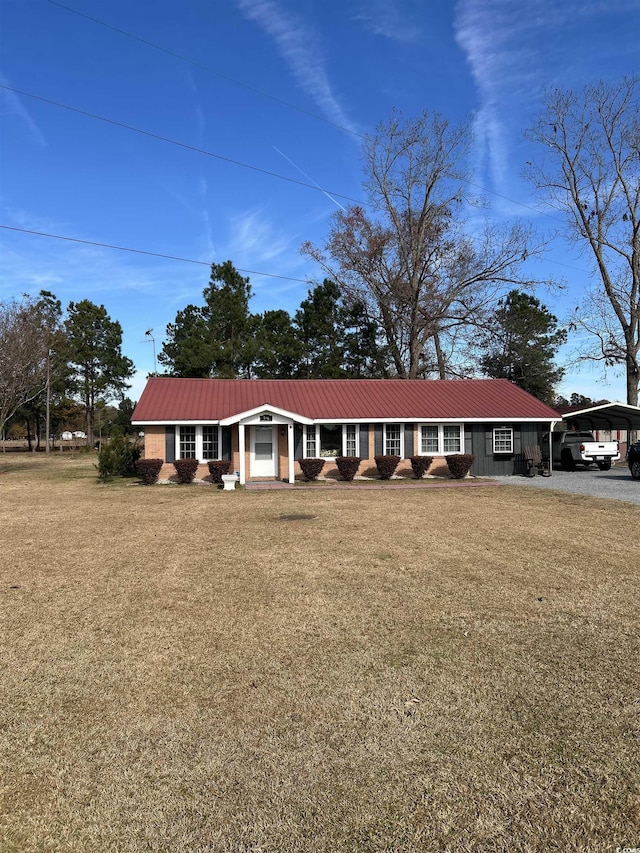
(591, 172)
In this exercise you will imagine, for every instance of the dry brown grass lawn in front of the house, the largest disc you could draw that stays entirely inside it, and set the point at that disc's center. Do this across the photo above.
(424, 670)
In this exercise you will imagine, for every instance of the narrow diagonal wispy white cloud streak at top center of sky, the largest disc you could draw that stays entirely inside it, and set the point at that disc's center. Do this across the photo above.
(299, 45)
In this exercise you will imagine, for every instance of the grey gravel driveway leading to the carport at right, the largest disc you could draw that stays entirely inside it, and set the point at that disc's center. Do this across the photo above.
(616, 484)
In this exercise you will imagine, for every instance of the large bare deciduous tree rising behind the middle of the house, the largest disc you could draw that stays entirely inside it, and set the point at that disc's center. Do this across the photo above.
(423, 278)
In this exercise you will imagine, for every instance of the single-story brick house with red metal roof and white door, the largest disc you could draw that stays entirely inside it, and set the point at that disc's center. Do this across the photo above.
(265, 426)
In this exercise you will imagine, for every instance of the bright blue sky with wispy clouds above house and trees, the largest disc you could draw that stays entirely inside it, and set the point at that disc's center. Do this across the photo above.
(287, 86)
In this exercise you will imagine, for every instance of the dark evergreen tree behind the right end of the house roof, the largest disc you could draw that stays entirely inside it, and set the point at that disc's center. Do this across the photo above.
(522, 343)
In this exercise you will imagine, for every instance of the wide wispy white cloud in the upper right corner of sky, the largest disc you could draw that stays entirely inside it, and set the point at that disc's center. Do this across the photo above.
(514, 52)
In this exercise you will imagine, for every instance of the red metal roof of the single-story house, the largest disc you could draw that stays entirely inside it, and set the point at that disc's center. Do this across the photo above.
(170, 400)
